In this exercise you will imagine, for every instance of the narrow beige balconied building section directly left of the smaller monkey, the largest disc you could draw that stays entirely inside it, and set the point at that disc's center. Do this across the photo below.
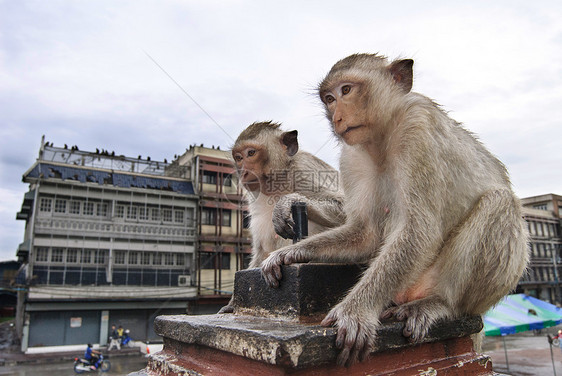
(223, 238)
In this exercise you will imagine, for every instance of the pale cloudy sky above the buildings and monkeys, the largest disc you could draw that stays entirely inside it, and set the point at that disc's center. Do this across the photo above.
(153, 77)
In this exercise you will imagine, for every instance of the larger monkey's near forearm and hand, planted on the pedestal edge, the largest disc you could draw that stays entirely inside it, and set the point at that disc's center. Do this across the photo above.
(404, 256)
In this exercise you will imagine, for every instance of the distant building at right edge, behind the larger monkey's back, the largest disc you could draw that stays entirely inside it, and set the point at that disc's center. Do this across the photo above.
(544, 278)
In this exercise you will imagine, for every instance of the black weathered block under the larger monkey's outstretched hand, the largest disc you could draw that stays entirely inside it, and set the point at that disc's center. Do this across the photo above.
(306, 292)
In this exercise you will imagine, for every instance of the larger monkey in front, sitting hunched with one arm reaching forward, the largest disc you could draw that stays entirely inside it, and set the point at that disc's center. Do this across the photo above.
(428, 208)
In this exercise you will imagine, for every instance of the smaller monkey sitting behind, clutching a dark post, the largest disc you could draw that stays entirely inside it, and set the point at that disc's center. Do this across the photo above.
(276, 174)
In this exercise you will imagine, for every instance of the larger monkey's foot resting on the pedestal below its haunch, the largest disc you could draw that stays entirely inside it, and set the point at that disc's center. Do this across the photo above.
(419, 315)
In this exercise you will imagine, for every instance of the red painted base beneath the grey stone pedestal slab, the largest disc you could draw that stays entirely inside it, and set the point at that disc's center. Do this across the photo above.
(448, 357)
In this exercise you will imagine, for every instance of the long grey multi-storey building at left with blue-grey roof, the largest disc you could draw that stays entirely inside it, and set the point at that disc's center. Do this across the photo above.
(109, 239)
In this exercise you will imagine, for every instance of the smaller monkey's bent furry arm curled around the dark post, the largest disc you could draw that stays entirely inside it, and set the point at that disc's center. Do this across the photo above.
(325, 209)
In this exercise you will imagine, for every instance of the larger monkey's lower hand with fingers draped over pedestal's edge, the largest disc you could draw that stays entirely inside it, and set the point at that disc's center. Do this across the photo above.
(356, 331)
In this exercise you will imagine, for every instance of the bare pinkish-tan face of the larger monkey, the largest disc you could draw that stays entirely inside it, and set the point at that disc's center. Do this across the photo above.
(346, 109)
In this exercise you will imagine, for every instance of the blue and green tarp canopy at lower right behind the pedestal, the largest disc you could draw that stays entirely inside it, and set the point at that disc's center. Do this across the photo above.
(518, 313)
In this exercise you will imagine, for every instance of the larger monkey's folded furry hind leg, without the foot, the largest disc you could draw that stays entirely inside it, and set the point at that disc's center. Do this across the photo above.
(484, 257)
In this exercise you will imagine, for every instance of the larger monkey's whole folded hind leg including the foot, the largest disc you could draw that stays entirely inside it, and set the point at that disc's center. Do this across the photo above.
(481, 260)
